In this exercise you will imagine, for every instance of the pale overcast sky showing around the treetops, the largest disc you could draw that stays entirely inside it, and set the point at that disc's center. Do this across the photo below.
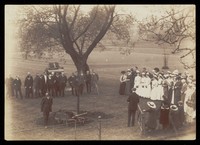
(139, 11)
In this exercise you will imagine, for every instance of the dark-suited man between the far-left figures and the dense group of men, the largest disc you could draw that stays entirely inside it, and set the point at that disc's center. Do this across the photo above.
(28, 84)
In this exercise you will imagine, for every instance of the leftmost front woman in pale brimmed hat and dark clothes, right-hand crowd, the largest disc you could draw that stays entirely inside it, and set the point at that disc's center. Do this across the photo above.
(151, 123)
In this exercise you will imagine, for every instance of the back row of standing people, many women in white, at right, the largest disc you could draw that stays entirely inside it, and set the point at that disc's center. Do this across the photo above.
(171, 88)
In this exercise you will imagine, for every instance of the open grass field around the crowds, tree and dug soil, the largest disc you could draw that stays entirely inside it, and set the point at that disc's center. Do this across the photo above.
(23, 117)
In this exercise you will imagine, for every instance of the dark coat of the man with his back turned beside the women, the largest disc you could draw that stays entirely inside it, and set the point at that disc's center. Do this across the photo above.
(133, 100)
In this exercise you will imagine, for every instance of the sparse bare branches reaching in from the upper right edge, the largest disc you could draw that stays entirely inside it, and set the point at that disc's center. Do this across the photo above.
(174, 29)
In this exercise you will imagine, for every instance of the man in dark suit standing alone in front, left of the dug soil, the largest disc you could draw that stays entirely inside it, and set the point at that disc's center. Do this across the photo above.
(46, 107)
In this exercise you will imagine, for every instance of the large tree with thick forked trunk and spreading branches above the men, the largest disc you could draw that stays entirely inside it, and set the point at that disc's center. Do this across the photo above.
(70, 28)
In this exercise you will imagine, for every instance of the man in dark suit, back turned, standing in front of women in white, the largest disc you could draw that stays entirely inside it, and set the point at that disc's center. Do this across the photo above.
(133, 100)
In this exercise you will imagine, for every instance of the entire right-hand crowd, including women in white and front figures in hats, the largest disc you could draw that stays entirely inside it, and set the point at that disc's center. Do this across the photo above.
(174, 90)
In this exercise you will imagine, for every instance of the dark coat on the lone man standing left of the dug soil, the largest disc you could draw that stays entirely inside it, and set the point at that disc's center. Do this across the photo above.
(46, 104)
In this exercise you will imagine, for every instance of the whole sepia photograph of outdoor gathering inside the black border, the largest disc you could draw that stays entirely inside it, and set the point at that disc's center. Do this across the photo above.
(100, 72)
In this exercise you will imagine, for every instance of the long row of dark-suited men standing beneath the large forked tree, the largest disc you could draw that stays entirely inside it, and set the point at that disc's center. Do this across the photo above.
(53, 83)
